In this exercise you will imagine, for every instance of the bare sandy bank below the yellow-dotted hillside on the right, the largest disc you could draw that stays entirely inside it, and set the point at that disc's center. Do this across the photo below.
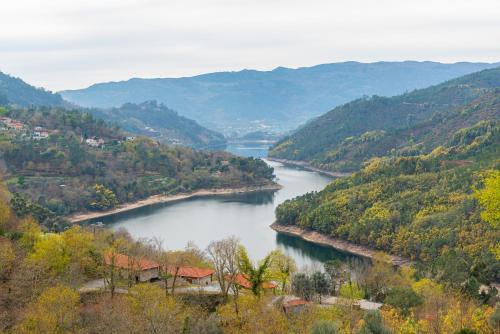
(338, 244)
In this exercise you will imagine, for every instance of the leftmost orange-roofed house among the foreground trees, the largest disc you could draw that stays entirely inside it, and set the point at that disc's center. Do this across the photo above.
(144, 270)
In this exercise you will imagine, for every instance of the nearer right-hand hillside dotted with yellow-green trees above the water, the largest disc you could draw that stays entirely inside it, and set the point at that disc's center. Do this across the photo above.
(425, 207)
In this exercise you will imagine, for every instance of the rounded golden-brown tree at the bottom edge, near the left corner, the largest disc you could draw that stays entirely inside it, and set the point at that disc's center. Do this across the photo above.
(55, 311)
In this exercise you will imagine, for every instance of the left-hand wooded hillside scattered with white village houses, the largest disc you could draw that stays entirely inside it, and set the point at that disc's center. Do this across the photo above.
(68, 161)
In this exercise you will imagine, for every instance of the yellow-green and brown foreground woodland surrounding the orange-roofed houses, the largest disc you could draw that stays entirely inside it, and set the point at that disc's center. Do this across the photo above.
(43, 289)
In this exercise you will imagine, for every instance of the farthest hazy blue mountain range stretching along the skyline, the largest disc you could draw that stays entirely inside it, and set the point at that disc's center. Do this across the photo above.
(281, 99)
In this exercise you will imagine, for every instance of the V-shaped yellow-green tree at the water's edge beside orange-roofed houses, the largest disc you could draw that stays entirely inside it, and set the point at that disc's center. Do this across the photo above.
(256, 274)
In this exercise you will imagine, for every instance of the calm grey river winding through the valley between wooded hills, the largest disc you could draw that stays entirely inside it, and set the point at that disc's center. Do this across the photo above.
(246, 216)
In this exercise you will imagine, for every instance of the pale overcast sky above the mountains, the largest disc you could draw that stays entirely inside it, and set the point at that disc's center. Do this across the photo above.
(69, 44)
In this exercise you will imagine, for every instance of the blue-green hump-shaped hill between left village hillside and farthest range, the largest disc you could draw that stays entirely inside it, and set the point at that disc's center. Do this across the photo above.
(155, 120)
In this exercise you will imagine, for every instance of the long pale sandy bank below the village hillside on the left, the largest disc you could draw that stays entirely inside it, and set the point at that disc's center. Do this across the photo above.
(157, 199)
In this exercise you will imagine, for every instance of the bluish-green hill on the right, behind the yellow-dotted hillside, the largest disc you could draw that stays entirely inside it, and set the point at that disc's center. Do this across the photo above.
(410, 124)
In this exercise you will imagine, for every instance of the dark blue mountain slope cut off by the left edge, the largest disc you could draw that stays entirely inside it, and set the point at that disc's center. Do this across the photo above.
(16, 91)
